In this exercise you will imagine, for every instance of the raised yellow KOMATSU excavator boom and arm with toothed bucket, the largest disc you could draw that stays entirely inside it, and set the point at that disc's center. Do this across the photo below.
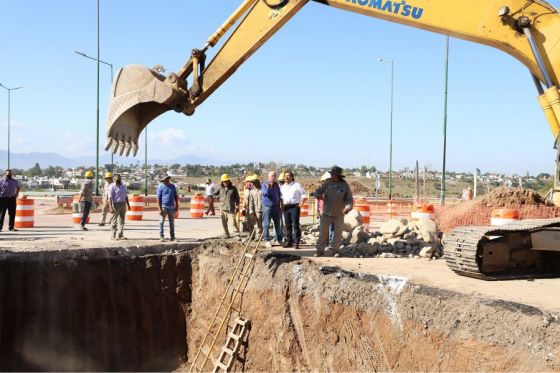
(527, 30)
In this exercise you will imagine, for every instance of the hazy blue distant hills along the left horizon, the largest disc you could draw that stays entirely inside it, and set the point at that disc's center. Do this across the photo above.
(28, 160)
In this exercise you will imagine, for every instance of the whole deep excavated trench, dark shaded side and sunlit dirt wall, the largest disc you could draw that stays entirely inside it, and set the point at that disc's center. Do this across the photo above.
(148, 309)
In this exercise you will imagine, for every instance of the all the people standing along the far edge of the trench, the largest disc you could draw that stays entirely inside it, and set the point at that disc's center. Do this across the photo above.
(276, 202)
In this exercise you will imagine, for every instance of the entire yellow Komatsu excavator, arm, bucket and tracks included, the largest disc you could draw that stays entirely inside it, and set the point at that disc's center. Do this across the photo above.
(528, 30)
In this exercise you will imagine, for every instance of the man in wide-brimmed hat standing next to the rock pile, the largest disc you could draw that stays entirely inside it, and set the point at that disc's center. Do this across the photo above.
(337, 198)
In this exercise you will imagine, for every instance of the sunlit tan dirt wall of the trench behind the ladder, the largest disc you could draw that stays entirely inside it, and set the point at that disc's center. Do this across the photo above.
(304, 319)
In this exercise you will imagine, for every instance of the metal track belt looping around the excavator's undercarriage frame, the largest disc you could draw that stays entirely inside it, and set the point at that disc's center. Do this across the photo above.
(463, 252)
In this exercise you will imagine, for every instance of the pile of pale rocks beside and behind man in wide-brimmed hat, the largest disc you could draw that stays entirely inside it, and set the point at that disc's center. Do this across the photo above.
(395, 239)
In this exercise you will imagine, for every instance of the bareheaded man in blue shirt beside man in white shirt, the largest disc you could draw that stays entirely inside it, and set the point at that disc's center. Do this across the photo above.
(271, 199)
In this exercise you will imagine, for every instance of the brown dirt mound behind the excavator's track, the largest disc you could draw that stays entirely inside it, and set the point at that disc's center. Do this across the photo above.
(478, 212)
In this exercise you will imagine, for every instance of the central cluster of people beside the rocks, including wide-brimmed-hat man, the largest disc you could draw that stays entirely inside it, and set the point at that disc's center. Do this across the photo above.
(277, 202)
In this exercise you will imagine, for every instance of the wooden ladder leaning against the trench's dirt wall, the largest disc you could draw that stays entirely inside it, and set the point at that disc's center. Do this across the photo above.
(234, 338)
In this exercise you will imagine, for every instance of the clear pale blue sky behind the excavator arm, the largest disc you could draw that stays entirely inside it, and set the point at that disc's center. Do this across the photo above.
(313, 94)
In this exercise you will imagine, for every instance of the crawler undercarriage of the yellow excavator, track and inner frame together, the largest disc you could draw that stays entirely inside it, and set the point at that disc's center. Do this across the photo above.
(525, 249)
